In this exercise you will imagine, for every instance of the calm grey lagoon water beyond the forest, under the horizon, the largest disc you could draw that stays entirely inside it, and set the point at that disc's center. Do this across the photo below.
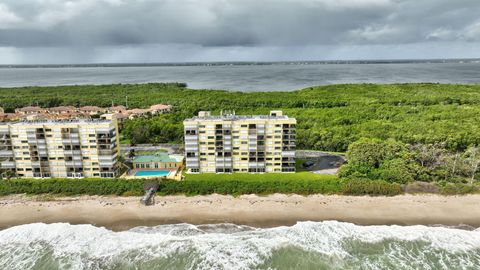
(251, 77)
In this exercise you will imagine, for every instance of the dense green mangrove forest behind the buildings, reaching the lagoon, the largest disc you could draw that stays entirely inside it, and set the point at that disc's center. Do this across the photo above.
(330, 118)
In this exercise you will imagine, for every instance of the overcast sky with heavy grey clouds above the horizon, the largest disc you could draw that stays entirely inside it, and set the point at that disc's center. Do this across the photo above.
(106, 31)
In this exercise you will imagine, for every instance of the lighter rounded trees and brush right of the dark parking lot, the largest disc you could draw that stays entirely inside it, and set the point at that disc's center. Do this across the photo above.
(455, 172)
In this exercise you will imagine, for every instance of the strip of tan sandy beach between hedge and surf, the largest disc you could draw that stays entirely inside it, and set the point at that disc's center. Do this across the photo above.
(119, 213)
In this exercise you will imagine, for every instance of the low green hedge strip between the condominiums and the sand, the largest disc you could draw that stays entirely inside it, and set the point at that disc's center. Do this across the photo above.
(209, 184)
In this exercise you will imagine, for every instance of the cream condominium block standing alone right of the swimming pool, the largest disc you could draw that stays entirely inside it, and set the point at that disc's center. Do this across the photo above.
(240, 143)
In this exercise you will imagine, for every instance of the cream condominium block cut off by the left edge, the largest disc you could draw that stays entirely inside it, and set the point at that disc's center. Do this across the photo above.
(53, 148)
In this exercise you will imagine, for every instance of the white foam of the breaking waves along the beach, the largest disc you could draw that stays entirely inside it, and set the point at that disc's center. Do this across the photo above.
(224, 246)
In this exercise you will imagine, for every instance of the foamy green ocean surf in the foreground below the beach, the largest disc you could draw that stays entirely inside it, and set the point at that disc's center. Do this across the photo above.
(306, 245)
